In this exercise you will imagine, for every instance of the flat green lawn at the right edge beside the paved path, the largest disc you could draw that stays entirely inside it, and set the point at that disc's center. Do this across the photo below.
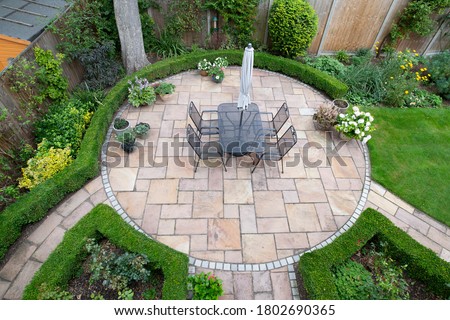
(410, 155)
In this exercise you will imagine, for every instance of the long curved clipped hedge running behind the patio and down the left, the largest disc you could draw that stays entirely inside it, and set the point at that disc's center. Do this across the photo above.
(34, 205)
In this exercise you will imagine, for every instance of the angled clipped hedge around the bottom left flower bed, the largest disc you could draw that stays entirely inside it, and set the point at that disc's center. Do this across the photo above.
(103, 221)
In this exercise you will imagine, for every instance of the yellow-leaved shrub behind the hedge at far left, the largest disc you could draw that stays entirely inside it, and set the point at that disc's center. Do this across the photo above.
(44, 165)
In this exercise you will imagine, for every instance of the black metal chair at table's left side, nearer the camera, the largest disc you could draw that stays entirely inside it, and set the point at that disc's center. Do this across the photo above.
(203, 150)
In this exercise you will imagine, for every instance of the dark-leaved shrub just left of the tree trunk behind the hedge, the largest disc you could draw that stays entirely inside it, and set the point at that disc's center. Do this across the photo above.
(101, 67)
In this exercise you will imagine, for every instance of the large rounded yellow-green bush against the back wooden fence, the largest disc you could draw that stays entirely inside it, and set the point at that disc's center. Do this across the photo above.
(292, 27)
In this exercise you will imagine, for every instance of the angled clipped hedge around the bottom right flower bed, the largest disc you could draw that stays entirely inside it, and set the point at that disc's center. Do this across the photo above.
(423, 264)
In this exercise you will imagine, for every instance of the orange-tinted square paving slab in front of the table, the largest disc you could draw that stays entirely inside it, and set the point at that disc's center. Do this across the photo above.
(224, 234)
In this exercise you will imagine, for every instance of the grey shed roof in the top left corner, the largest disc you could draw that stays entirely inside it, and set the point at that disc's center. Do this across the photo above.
(26, 19)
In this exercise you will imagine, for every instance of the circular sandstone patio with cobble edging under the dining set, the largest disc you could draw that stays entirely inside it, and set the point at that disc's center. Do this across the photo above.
(236, 220)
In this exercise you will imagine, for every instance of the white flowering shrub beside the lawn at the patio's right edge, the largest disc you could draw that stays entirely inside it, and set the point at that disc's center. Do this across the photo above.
(356, 124)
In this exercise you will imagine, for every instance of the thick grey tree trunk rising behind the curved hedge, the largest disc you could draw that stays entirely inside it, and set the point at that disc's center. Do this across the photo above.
(130, 34)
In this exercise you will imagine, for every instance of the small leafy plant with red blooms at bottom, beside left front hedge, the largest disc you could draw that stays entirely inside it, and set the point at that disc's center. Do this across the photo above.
(205, 286)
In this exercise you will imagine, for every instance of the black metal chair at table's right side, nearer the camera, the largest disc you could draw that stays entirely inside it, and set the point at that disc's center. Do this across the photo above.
(276, 151)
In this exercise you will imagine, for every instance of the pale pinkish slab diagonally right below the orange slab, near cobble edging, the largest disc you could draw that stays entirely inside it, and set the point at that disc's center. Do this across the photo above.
(258, 248)
